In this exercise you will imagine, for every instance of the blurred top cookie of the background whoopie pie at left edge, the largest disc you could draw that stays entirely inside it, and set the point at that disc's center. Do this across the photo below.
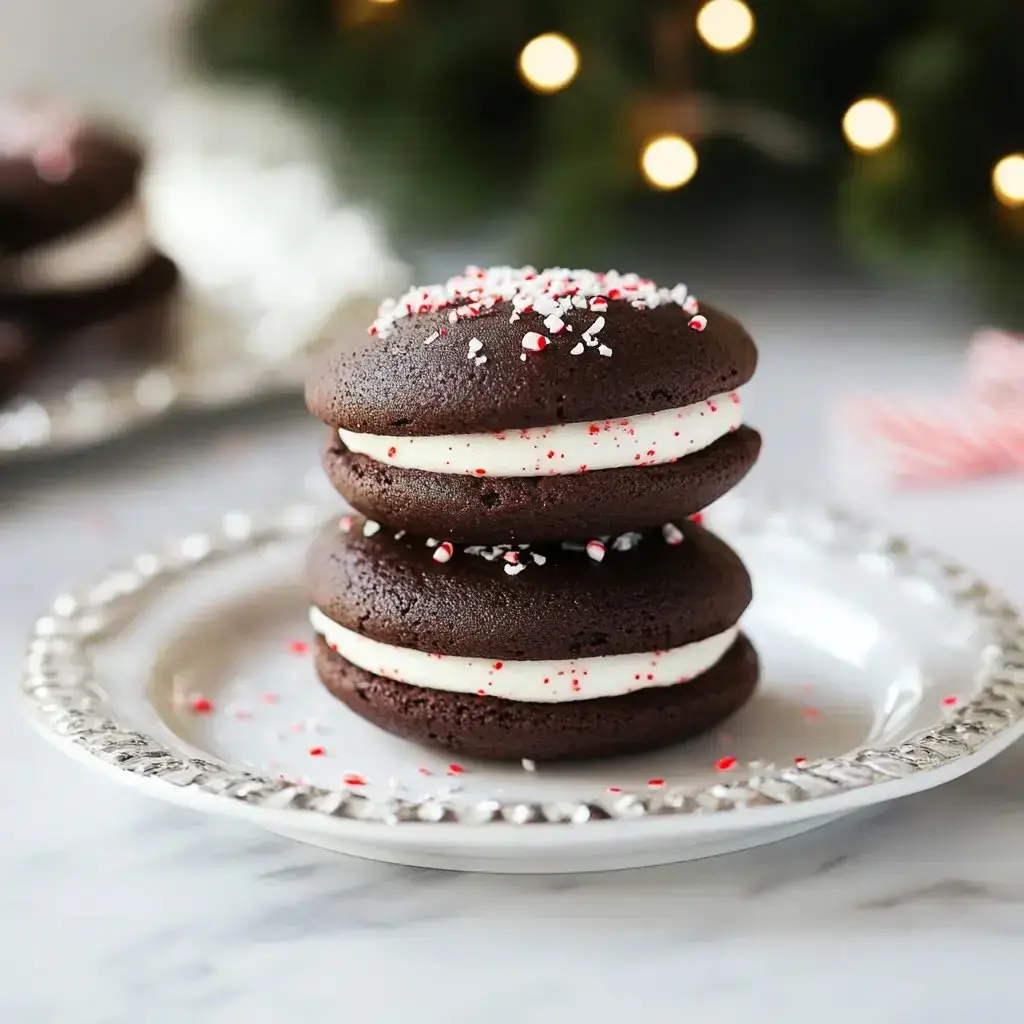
(59, 175)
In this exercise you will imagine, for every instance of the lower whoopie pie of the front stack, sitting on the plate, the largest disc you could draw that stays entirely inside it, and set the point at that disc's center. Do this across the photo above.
(550, 652)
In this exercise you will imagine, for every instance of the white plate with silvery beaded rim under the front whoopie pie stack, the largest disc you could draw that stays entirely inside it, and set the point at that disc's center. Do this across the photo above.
(887, 670)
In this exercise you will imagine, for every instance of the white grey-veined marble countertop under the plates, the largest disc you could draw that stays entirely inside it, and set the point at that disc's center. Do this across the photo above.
(116, 909)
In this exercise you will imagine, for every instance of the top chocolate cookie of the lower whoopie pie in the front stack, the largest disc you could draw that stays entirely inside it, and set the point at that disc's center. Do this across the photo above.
(633, 593)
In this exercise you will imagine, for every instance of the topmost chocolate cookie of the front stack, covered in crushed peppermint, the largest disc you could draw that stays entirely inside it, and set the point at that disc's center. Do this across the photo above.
(506, 349)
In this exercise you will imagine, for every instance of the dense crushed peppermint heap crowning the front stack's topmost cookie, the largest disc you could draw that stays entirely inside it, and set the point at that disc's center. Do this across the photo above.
(547, 293)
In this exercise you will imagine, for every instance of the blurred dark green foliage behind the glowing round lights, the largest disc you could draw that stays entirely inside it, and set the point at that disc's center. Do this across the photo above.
(437, 126)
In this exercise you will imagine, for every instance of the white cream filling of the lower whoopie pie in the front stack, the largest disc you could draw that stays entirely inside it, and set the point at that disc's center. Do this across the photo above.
(545, 681)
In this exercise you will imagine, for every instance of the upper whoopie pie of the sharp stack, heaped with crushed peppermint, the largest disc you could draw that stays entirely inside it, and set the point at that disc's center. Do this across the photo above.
(511, 405)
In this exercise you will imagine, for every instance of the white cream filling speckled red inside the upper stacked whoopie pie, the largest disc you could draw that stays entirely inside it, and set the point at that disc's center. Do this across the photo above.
(649, 440)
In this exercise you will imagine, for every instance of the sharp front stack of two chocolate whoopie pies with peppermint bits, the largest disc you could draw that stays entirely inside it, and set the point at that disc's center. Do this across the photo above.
(528, 452)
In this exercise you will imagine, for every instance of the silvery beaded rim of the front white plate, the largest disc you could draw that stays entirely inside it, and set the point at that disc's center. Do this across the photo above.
(63, 699)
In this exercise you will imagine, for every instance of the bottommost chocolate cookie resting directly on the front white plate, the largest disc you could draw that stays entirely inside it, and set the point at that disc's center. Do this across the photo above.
(507, 731)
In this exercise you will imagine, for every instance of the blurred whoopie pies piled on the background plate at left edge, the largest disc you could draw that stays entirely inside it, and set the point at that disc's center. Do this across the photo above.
(81, 285)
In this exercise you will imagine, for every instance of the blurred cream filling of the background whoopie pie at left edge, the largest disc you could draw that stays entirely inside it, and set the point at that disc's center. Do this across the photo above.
(102, 253)
